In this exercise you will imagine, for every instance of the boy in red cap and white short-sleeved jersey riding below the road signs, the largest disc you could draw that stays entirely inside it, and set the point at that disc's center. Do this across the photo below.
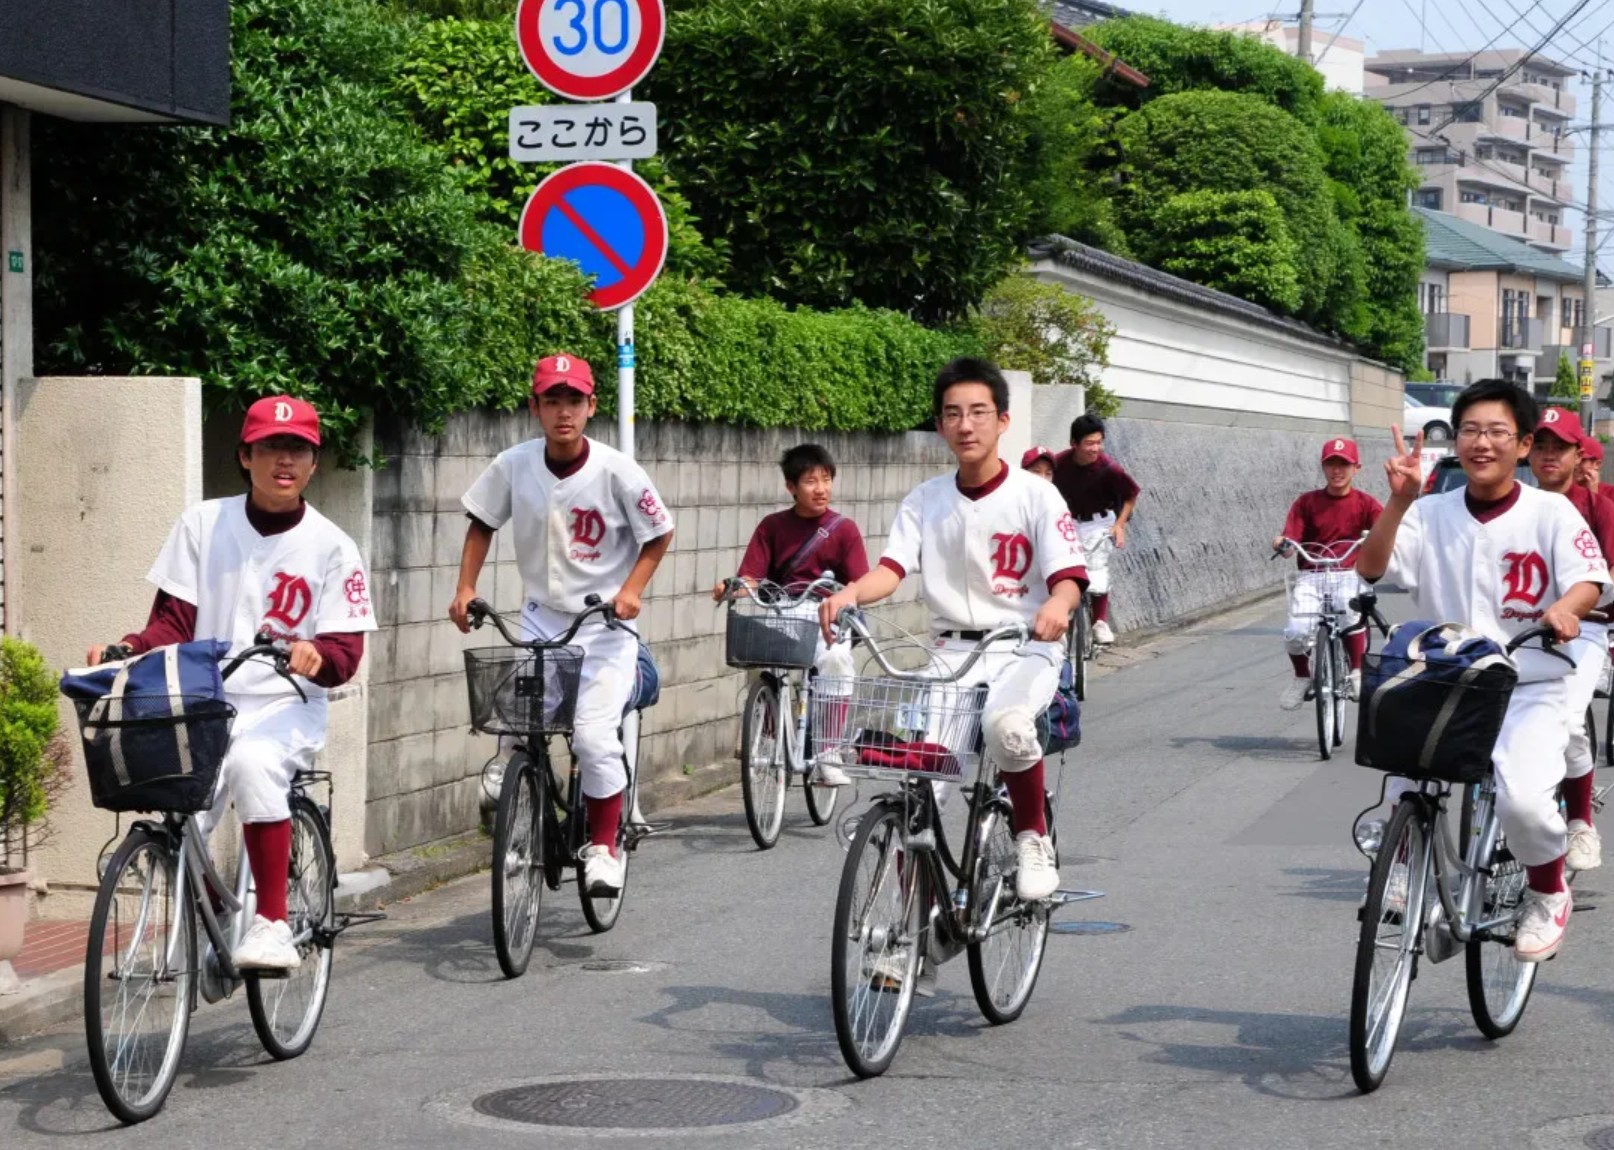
(587, 522)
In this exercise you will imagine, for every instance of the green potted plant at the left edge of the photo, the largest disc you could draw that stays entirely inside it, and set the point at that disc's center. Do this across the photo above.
(33, 772)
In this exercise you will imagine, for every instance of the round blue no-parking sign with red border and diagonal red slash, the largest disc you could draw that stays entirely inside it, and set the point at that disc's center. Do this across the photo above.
(608, 222)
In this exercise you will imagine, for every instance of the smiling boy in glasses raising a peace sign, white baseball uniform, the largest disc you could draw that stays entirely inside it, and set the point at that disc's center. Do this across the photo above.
(1503, 557)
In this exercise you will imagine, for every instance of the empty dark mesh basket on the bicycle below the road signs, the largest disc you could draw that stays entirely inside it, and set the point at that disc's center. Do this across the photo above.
(517, 691)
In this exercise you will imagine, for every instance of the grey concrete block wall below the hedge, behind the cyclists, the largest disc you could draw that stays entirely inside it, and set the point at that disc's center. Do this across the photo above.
(719, 481)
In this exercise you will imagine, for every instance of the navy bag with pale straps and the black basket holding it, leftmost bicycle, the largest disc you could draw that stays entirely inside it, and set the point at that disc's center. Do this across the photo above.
(156, 728)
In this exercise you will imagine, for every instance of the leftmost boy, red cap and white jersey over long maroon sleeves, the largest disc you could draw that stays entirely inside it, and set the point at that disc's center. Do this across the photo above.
(266, 562)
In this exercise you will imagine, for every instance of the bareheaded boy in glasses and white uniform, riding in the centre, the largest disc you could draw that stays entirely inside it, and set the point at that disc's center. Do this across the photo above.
(993, 548)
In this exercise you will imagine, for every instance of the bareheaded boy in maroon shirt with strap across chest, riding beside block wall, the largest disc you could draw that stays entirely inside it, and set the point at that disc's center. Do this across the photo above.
(797, 548)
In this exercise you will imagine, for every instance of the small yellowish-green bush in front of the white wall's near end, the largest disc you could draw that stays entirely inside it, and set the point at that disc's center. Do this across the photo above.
(1058, 336)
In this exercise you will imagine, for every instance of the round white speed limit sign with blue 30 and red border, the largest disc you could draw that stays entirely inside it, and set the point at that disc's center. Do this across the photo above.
(590, 49)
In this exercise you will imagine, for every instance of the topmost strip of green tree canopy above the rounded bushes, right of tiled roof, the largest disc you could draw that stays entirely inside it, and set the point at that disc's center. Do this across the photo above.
(1181, 59)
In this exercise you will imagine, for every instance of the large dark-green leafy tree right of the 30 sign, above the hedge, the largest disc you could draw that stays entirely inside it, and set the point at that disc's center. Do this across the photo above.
(858, 151)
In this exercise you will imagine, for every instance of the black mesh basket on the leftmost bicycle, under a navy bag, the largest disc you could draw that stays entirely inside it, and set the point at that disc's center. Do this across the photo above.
(154, 752)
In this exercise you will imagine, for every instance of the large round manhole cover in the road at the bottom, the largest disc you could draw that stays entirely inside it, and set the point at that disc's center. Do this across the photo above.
(637, 1104)
